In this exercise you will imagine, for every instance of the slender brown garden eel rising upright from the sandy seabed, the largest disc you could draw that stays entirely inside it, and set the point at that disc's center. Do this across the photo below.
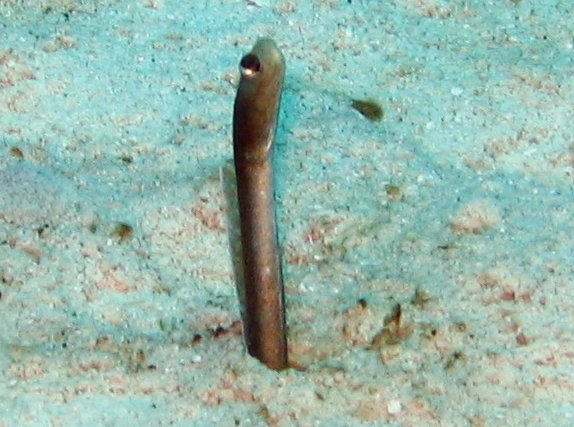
(254, 123)
